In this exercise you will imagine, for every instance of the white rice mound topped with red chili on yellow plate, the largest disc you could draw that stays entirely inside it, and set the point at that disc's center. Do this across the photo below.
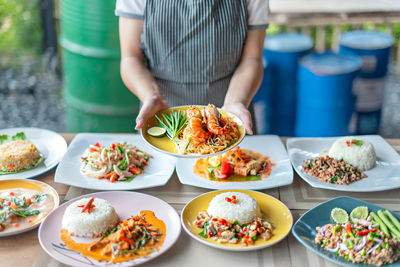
(245, 210)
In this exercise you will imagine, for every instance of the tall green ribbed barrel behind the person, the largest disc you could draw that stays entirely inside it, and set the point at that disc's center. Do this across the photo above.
(97, 100)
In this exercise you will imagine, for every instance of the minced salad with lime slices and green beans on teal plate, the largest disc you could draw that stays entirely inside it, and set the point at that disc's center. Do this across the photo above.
(365, 237)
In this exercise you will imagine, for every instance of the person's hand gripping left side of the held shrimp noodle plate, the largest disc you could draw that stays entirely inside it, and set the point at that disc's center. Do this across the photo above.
(151, 105)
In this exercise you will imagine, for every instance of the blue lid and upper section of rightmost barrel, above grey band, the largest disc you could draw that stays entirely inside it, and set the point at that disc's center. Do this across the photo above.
(374, 49)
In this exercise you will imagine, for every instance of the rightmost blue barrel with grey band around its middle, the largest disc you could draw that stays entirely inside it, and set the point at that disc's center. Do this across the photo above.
(374, 49)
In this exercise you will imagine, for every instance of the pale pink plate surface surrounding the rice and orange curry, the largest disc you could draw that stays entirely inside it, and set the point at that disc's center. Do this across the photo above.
(126, 205)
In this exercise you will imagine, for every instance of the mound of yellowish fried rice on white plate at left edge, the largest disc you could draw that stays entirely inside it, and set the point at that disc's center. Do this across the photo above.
(18, 155)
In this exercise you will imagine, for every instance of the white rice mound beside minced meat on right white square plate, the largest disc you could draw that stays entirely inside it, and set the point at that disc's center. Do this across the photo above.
(361, 156)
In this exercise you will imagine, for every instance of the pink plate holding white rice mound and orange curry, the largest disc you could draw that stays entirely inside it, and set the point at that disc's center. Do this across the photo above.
(102, 229)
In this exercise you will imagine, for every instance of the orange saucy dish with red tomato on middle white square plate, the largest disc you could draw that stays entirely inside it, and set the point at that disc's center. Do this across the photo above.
(235, 165)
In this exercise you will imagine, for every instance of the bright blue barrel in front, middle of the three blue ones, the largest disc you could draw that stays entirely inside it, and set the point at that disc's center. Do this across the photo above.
(325, 102)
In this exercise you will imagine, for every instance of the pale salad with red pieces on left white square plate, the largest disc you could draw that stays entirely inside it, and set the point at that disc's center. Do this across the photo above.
(116, 162)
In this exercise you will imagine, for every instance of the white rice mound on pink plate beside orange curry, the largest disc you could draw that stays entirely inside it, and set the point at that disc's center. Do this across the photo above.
(102, 218)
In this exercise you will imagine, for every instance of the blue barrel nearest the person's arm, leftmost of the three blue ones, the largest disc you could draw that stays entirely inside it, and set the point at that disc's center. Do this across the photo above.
(278, 90)
